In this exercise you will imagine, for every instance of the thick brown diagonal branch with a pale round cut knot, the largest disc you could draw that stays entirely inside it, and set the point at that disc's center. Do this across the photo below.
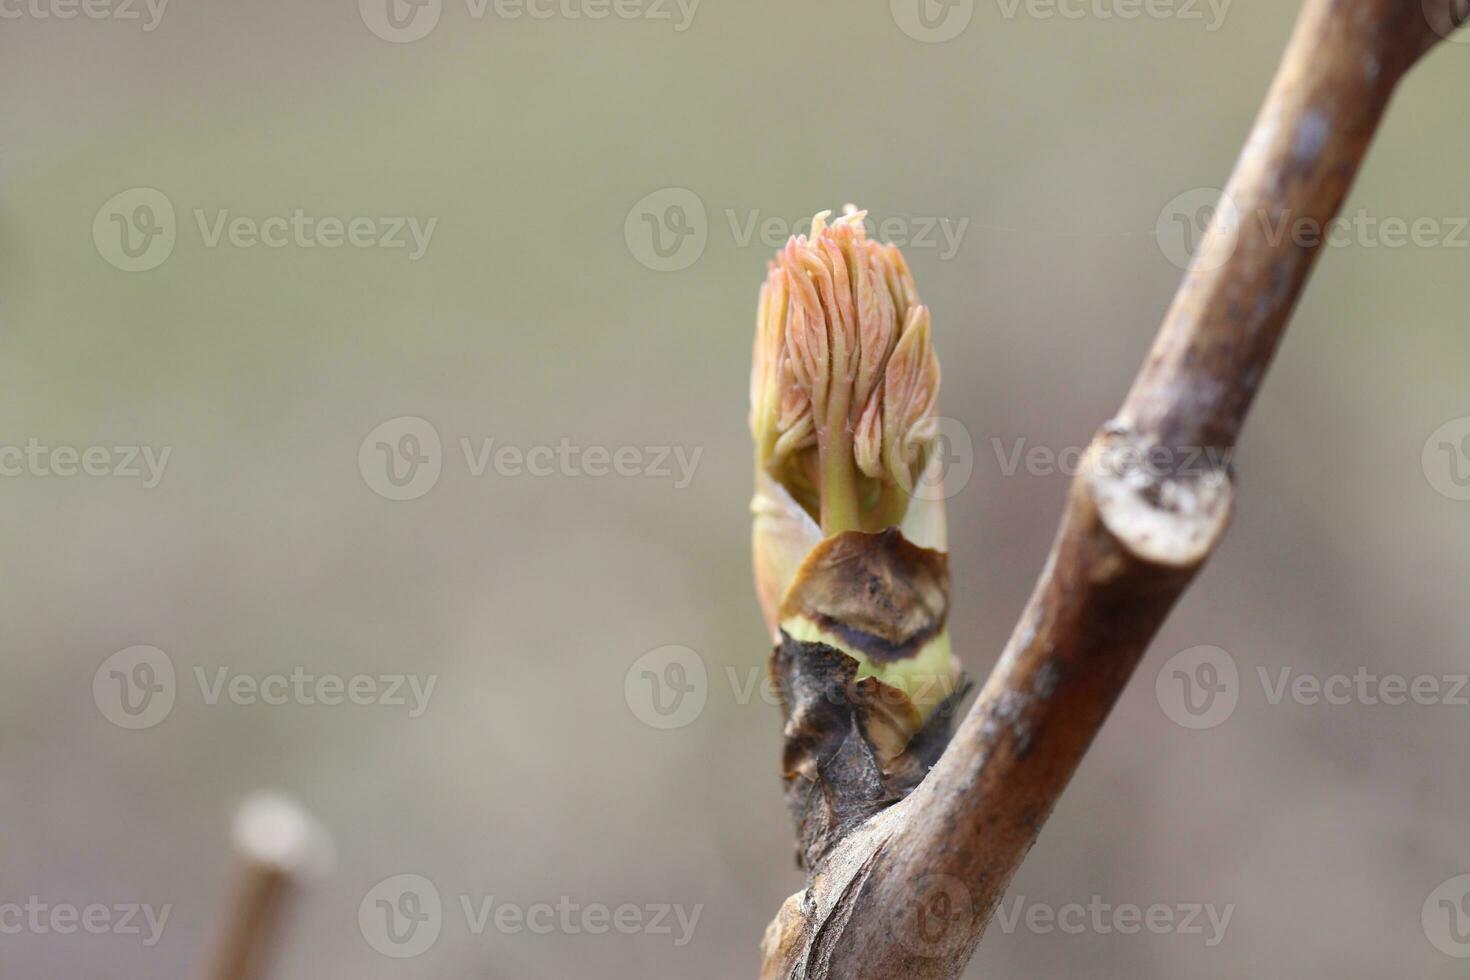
(911, 891)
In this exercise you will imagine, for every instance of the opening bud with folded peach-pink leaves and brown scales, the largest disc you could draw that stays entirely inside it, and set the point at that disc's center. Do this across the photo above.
(845, 396)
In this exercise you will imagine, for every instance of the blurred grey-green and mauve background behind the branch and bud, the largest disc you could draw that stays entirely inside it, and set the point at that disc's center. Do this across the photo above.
(373, 422)
